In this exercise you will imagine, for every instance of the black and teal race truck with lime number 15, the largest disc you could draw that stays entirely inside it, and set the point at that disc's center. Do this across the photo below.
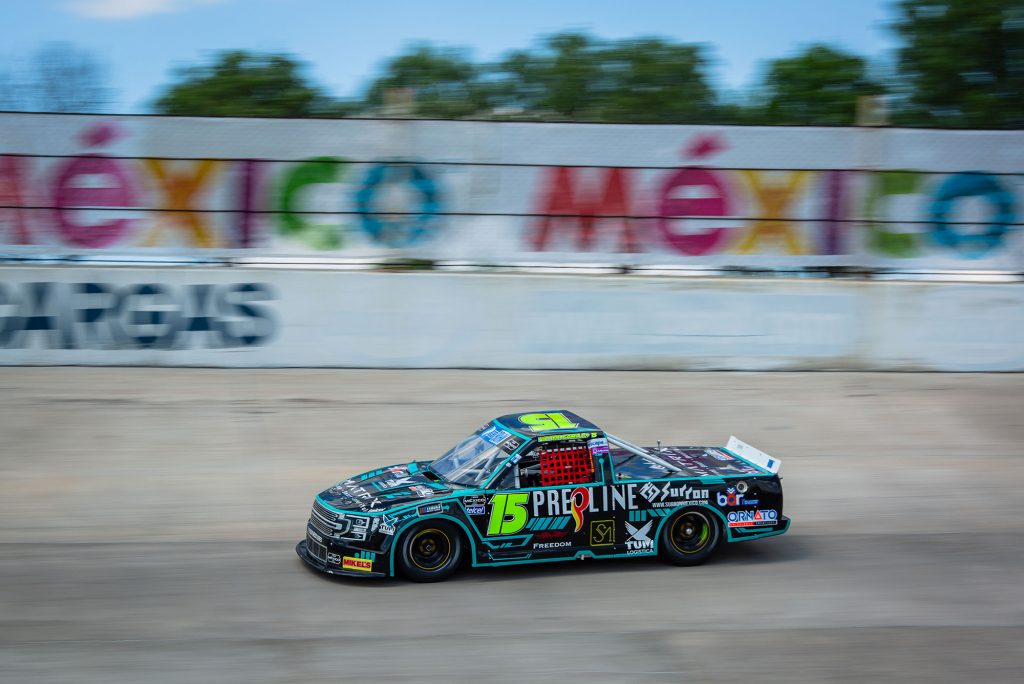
(540, 488)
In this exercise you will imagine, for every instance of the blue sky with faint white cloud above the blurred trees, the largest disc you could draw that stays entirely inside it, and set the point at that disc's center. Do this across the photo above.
(347, 41)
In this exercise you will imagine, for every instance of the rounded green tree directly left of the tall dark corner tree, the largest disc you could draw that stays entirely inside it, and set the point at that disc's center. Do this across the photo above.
(818, 88)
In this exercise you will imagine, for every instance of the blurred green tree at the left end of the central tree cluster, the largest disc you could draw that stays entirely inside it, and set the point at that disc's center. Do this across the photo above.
(442, 83)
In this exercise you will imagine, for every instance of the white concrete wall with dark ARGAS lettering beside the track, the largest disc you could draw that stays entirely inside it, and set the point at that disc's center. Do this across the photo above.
(280, 318)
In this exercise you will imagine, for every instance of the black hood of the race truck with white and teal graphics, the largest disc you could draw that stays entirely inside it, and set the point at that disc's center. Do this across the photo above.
(385, 489)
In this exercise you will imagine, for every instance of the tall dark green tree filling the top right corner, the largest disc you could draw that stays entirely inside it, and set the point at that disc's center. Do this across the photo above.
(963, 62)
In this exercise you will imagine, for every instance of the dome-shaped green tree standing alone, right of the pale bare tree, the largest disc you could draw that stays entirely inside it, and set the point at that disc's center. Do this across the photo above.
(246, 84)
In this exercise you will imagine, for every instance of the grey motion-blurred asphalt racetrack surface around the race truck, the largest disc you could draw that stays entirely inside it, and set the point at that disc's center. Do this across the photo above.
(148, 520)
